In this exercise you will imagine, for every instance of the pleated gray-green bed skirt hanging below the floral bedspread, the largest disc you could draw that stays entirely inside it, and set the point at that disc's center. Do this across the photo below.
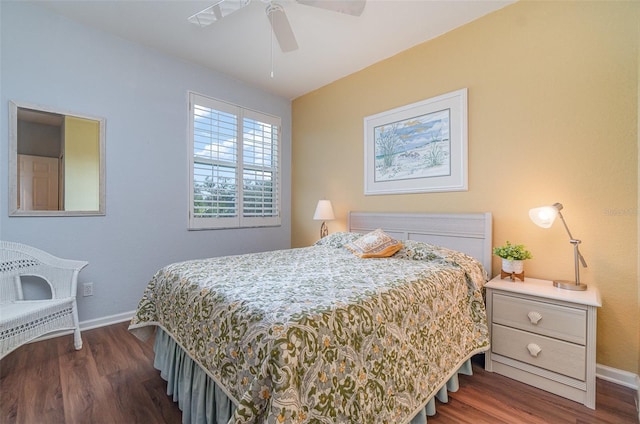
(202, 401)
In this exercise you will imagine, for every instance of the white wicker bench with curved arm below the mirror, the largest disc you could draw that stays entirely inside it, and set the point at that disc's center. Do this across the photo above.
(22, 321)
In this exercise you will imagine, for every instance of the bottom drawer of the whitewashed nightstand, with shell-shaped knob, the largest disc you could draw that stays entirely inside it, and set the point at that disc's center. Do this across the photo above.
(540, 351)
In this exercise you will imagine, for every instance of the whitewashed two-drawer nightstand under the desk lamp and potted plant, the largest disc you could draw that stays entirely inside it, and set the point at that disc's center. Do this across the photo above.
(544, 336)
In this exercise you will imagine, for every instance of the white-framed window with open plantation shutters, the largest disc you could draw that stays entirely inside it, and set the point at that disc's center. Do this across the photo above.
(235, 170)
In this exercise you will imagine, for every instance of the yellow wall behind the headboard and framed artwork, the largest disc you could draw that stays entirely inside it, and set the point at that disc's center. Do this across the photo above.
(553, 117)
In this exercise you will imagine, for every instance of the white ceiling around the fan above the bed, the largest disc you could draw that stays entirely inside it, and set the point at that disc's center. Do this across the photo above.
(331, 45)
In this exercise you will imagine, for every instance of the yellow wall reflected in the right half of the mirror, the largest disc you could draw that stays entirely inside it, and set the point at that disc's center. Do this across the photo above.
(81, 164)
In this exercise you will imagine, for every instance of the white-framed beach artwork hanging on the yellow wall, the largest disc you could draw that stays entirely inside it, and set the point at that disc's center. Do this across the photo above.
(421, 147)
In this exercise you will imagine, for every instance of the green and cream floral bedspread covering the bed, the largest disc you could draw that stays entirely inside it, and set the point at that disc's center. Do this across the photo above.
(318, 335)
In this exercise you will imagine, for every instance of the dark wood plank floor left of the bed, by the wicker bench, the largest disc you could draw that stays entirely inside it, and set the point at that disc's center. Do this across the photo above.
(111, 380)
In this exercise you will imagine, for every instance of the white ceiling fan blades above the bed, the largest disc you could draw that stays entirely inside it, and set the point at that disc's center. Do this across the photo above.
(276, 15)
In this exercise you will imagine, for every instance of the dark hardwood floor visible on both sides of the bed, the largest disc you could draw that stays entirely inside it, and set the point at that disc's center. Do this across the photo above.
(112, 380)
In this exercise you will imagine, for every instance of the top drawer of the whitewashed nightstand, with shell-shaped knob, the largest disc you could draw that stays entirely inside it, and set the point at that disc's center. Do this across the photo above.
(557, 321)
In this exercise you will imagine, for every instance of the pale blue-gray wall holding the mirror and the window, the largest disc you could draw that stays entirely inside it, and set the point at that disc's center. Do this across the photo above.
(142, 94)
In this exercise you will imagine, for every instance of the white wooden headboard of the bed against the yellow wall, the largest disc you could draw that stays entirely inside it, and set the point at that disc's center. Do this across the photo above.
(468, 233)
